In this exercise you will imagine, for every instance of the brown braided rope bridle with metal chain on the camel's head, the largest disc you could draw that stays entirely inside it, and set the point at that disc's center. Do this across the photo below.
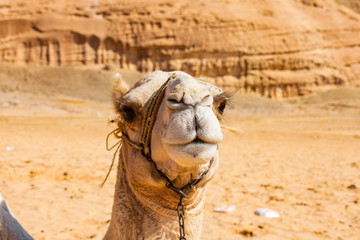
(145, 147)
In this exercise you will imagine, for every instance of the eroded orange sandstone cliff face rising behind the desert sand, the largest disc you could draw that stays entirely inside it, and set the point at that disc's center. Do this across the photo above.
(276, 48)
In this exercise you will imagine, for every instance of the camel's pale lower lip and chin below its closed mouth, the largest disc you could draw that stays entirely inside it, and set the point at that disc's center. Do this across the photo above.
(192, 154)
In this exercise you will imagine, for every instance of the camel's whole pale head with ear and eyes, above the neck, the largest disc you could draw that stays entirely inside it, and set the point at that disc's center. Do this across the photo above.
(186, 130)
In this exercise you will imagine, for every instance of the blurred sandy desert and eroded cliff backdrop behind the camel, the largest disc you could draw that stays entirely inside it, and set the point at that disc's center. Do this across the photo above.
(295, 67)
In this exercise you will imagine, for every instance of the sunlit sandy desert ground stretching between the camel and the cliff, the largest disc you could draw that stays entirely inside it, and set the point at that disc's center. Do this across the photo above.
(299, 157)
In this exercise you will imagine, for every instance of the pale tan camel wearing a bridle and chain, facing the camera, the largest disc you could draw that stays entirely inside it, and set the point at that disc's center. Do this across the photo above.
(169, 133)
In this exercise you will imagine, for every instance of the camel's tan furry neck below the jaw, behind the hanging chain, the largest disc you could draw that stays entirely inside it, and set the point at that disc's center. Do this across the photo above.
(145, 208)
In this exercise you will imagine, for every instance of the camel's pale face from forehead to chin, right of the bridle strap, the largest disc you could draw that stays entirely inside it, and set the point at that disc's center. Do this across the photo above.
(189, 129)
